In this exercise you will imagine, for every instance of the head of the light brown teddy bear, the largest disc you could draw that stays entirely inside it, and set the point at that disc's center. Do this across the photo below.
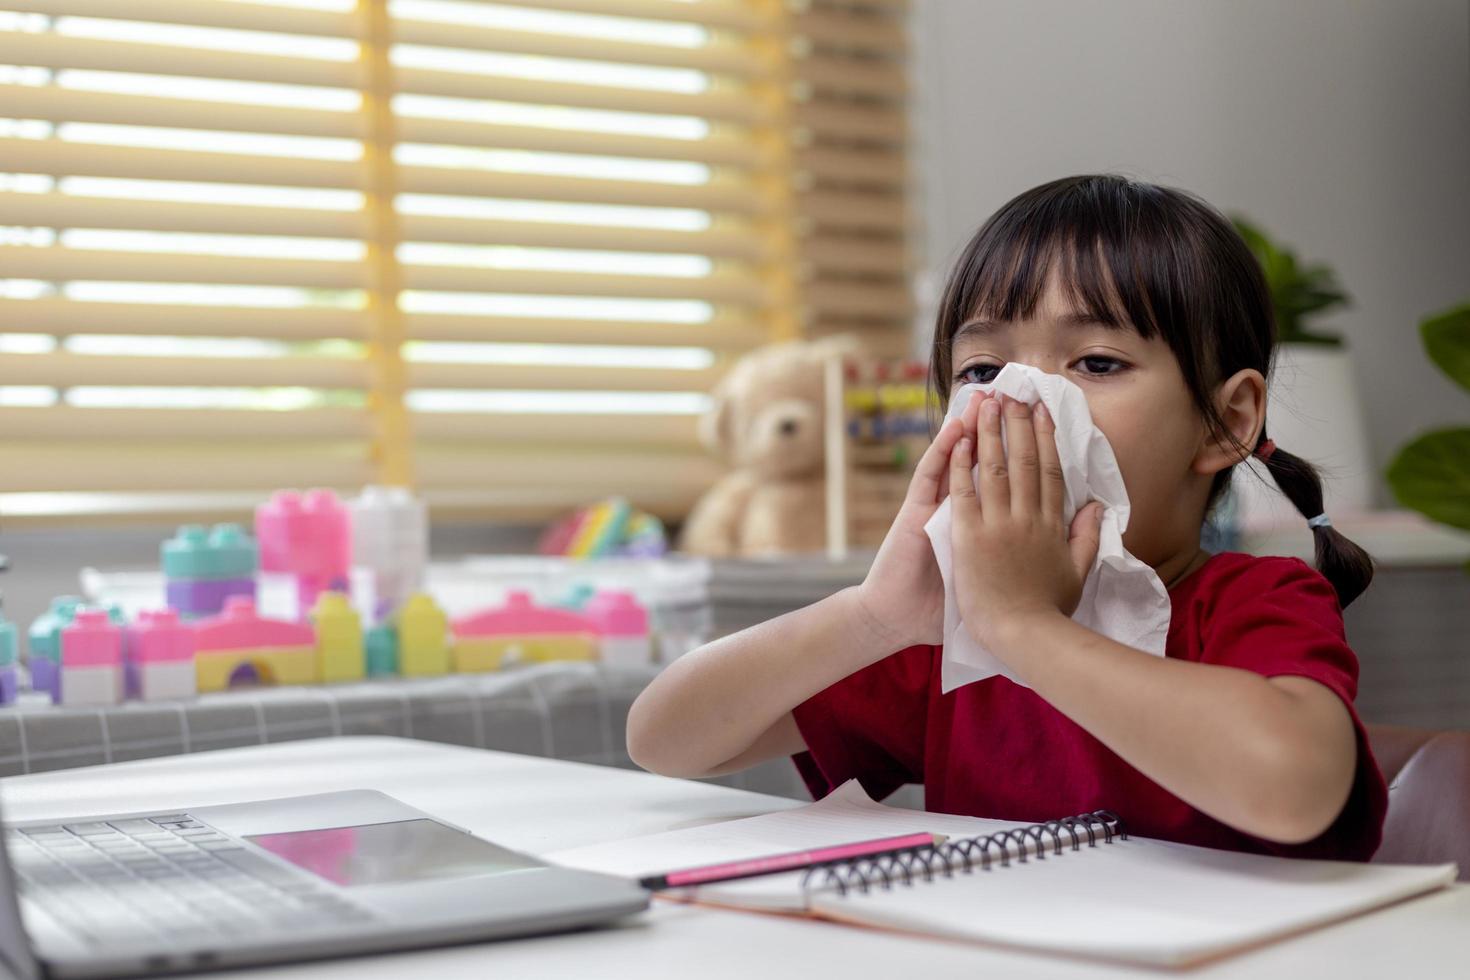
(768, 414)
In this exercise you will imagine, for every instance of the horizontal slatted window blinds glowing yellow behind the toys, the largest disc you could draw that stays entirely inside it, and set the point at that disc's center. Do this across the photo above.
(493, 252)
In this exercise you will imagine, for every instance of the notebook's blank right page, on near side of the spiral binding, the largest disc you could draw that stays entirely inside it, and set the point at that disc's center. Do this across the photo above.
(1137, 900)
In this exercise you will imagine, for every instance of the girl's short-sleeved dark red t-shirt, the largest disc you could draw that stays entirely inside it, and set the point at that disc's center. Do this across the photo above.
(997, 750)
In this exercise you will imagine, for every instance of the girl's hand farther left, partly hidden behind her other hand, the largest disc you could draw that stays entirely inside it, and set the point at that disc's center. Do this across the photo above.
(903, 596)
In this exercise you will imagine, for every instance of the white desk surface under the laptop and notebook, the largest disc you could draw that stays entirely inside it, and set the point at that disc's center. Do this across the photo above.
(542, 806)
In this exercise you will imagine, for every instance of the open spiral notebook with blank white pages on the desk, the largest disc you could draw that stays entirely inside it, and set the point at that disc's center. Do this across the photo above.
(1080, 885)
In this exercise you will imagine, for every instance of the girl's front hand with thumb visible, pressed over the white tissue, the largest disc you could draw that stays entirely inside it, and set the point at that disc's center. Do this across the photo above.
(1014, 558)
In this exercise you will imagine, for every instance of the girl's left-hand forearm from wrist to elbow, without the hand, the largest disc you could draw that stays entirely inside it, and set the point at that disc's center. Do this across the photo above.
(728, 705)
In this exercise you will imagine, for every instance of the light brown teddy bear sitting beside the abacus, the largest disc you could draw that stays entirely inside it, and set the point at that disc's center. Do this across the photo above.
(768, 419)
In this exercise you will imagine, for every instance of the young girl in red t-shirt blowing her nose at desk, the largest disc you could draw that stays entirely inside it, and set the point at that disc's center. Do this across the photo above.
(1243, 737)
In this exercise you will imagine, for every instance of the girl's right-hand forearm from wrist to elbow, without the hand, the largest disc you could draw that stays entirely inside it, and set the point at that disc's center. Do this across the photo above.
(1272, 757)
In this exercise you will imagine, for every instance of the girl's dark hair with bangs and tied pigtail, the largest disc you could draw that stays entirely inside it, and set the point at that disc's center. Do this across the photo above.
(1165, 264)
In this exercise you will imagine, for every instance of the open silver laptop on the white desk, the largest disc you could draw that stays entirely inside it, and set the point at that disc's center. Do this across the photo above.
(302, 878)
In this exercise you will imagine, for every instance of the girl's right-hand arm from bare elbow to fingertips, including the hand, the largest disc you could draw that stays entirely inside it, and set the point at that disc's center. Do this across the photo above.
(1271, 757)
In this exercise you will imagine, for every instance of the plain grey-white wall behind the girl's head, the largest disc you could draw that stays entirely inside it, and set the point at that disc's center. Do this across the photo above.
(1341, 126)
